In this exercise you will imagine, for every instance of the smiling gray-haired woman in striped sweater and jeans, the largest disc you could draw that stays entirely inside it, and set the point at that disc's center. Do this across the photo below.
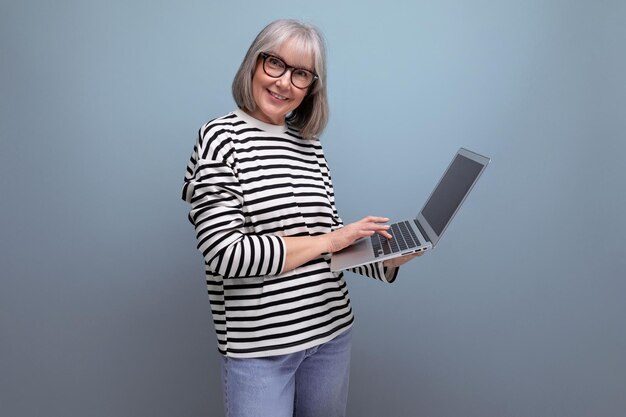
(263, 207)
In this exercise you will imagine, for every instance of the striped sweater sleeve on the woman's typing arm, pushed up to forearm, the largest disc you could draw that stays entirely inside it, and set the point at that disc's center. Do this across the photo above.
(212, 188)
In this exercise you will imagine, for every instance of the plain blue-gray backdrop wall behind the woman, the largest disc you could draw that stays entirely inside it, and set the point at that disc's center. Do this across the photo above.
(518, 312)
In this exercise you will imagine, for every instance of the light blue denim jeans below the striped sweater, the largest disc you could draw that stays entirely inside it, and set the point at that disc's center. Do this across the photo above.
(310, 383)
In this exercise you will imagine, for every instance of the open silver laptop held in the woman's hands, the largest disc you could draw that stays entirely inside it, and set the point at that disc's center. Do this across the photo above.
(425, 231)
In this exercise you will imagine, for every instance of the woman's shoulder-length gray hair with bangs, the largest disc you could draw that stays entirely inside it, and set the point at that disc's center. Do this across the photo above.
(311, 116)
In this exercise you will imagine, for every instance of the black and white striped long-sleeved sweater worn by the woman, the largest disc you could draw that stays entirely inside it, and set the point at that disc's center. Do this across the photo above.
(250, 183)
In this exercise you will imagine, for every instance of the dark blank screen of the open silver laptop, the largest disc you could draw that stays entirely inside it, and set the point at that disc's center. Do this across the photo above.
(450, 192)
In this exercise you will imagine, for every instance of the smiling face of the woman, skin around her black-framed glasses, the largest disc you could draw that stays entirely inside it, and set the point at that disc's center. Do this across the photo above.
(277, 97)
